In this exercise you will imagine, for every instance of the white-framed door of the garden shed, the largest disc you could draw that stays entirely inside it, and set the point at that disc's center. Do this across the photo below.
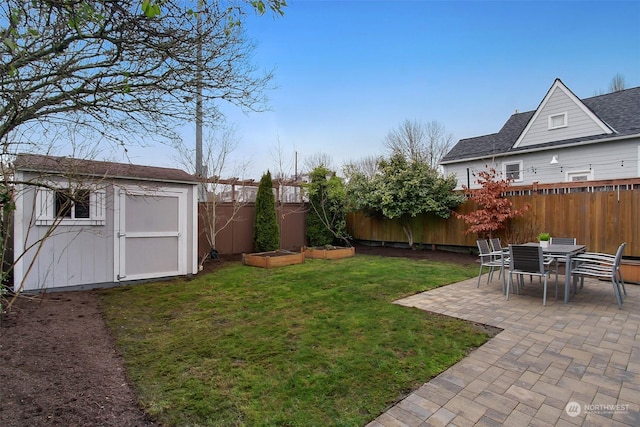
(150, 233)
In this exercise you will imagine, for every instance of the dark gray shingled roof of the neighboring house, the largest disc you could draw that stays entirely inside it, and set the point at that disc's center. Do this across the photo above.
(619, 110)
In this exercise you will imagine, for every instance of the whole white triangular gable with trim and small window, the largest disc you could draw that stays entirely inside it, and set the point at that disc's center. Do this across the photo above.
(560, 116)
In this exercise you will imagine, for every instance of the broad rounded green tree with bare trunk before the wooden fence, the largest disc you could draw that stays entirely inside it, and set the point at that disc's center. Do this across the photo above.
(402, 189)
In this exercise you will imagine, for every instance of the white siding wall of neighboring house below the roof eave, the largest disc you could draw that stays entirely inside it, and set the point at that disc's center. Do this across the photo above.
(612, 160)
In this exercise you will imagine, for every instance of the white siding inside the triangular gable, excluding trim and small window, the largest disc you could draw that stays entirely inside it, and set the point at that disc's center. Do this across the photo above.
(579, 123)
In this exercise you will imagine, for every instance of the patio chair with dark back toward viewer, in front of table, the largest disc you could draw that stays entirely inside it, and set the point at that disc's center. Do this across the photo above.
(527, 260)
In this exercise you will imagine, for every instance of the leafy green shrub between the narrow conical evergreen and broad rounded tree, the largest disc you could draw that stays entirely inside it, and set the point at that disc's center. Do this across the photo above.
(327, 217)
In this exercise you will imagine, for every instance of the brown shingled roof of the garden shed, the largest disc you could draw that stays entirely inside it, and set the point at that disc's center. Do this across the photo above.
(94, 168)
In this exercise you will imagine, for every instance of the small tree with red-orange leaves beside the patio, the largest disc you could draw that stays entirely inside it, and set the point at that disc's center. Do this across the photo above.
(494, 210)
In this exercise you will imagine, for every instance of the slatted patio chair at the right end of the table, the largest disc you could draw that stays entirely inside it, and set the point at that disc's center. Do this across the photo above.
(601, 266)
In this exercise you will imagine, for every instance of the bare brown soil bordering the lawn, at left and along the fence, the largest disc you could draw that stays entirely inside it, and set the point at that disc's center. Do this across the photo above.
(59, 366)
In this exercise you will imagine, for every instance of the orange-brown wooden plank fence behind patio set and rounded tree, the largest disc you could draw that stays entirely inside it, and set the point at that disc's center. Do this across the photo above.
(600, 214)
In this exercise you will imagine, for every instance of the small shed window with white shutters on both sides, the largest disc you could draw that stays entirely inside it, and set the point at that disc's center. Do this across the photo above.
(67, 207)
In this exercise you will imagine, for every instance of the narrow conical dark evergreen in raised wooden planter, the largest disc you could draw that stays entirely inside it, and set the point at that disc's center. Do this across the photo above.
(266, 235)
